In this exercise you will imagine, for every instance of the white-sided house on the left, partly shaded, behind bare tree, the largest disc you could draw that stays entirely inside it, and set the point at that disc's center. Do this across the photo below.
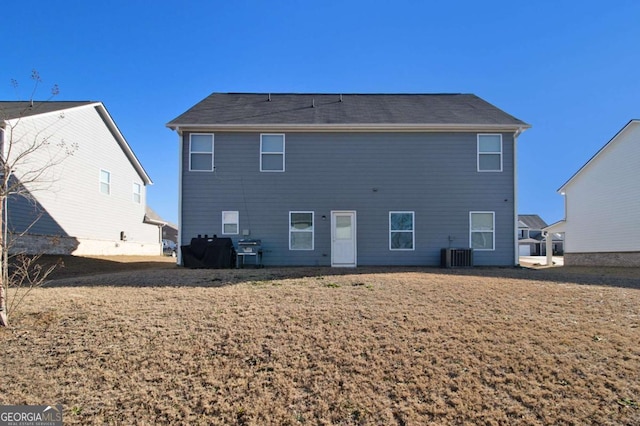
(92, 198)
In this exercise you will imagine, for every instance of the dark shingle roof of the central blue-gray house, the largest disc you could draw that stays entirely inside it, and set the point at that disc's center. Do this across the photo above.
(225, 109)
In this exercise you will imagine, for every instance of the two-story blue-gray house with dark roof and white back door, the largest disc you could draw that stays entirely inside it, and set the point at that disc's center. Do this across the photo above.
(352, 179)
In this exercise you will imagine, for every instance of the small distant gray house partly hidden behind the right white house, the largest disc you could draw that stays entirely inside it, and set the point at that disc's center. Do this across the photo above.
(532, 239)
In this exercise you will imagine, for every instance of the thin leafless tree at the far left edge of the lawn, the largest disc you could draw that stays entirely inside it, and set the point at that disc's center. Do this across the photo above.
(27, 160)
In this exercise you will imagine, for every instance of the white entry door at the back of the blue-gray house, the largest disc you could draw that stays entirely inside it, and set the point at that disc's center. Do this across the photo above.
(343, 238)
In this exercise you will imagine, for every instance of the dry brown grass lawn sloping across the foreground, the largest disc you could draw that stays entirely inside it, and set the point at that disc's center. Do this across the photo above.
(316, 346)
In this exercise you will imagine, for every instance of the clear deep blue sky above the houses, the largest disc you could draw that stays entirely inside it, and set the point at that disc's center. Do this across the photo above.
(569, 68)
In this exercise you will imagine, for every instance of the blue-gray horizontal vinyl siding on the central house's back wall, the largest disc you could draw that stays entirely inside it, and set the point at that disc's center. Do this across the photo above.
(432, 174)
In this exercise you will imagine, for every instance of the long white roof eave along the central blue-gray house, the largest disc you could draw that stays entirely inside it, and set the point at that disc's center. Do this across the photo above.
(357, 127)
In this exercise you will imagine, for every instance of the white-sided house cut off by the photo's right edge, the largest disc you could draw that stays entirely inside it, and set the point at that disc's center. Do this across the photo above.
(602, 205)
